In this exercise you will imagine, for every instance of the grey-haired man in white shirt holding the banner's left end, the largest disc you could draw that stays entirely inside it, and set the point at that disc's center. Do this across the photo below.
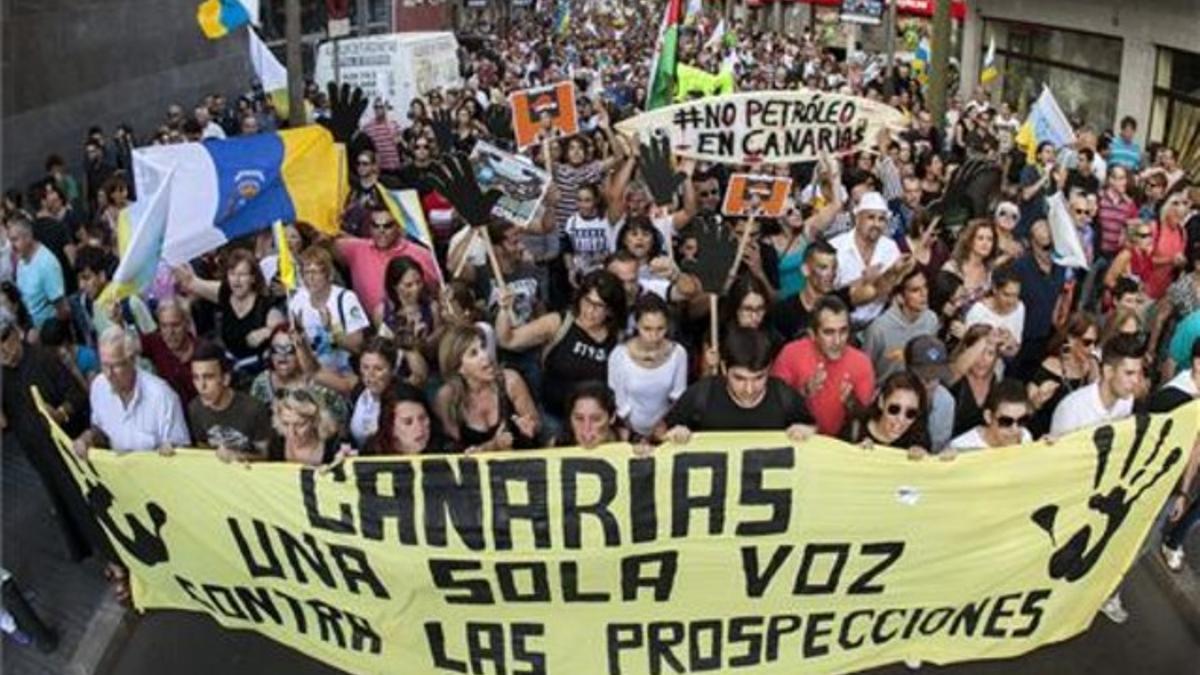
(131, 410)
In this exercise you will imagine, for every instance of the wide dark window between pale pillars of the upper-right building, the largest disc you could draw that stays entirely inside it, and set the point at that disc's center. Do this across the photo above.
(1082, 69)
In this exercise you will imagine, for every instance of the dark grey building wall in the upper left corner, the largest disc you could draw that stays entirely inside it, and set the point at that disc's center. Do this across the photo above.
(71, 65)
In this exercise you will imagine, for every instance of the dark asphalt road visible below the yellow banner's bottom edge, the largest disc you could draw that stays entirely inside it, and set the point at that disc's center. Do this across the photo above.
(1154, 642)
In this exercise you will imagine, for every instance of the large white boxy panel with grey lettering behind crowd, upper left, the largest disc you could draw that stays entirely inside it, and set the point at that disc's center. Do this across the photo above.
(397, 68)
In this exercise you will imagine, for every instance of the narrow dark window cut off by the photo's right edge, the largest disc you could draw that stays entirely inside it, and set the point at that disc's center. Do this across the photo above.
(1175, 116)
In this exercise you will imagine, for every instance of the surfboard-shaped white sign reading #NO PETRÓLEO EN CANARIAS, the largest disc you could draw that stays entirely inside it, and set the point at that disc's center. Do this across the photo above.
(769, 127)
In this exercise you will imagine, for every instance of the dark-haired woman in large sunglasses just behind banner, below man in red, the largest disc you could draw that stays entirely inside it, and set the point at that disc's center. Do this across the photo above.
(898, 417)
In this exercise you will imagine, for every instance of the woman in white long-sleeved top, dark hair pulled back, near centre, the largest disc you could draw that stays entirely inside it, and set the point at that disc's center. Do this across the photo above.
(649, 373)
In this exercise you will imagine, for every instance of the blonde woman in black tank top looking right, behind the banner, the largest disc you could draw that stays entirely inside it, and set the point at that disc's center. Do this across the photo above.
(483, 408)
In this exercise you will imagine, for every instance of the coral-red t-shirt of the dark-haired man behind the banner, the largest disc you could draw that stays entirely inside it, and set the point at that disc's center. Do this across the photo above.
(799, 362)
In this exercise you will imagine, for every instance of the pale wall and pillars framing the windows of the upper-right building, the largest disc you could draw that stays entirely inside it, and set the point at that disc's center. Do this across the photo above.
(1142, 25)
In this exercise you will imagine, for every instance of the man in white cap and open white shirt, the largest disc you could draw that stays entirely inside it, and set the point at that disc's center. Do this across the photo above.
(869, 262)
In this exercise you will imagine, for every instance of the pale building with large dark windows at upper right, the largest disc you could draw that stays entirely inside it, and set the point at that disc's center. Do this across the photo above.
(1105, 61)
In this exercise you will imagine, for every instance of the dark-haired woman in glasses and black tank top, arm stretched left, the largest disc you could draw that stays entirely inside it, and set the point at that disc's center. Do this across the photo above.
(575, 345)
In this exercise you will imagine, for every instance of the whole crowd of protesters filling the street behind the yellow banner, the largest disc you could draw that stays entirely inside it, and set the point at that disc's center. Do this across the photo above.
(865, 314)
